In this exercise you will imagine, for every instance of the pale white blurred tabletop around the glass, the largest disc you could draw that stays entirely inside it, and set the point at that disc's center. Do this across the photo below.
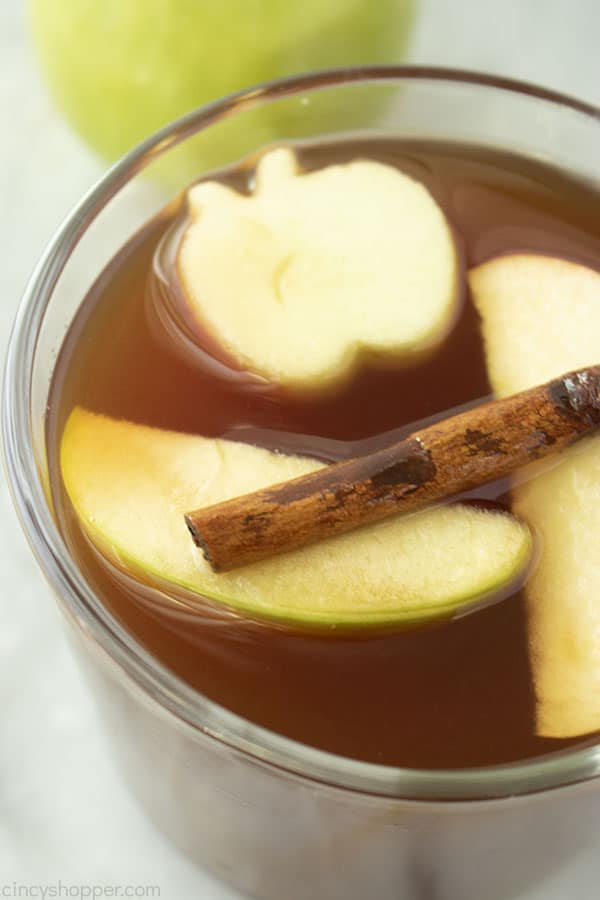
(64, 816)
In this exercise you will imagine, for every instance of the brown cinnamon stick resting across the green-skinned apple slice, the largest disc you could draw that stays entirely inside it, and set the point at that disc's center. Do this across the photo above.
(457, 454)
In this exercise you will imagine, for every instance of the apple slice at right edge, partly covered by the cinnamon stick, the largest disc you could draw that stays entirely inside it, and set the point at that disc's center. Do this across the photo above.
(541, 318)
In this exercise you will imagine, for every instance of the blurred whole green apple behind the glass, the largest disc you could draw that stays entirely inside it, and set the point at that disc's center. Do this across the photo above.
(120, 69)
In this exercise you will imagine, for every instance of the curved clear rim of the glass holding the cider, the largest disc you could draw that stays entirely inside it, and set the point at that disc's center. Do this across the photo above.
(149, 674)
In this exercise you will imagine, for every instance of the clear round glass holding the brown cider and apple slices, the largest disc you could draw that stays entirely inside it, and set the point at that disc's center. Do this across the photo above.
(269, 815)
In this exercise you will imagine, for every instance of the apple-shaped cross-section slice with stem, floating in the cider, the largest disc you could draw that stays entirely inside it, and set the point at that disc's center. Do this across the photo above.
(309, 272)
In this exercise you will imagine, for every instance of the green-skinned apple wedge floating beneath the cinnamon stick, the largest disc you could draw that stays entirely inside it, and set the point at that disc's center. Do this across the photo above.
(130, 485)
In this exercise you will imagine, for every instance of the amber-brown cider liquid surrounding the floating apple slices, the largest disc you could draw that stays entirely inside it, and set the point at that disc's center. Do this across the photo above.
(451, 692)
